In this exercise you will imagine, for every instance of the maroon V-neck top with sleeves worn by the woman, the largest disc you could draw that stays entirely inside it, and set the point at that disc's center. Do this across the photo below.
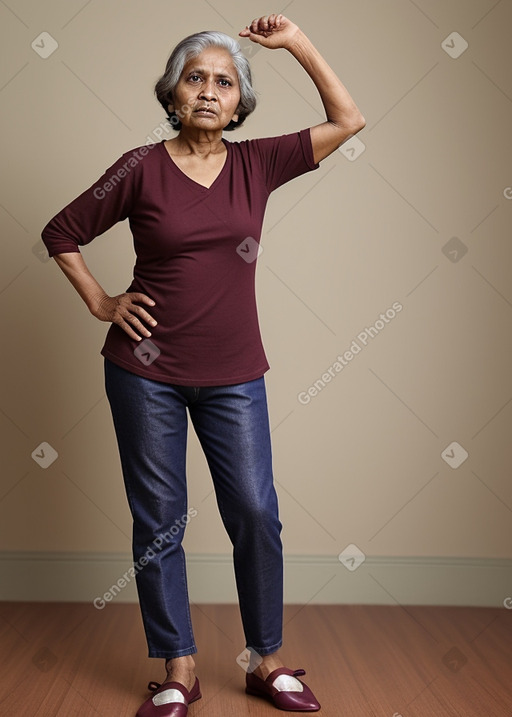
(196, 251)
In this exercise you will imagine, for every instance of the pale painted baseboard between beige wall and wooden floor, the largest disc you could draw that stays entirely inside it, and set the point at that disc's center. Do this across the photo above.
(82, 577)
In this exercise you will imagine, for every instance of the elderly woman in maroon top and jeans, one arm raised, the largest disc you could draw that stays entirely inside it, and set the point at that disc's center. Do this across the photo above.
(185, 336)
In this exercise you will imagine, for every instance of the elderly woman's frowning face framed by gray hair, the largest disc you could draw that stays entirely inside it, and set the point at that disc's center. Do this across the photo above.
(208, 80)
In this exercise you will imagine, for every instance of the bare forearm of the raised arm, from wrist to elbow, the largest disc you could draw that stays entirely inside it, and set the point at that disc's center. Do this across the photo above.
(340, 108)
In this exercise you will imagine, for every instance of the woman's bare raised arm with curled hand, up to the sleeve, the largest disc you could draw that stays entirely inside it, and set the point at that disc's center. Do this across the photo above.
(343, 116)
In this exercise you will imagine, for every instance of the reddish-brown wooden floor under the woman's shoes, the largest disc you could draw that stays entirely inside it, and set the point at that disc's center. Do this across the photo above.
(69, 659)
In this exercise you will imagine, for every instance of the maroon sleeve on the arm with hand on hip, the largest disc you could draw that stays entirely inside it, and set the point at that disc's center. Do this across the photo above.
(98, 208)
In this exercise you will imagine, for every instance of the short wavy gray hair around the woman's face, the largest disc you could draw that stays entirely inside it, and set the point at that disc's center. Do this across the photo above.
(192, 46)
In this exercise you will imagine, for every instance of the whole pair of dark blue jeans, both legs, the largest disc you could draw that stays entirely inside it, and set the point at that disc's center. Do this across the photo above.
(231, 422)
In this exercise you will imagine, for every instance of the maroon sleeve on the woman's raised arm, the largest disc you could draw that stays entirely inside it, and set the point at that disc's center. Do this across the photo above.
(285, 157)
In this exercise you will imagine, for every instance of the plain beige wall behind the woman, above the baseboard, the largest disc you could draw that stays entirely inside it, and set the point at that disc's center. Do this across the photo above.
(362, 461)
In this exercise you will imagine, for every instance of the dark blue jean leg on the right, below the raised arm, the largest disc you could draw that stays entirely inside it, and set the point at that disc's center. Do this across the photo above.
(232, 425)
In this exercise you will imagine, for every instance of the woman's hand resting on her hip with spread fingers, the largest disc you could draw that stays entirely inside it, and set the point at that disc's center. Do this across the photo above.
(125, 311)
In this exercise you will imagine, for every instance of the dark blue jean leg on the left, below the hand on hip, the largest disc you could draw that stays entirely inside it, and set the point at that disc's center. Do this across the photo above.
(150, 421)
